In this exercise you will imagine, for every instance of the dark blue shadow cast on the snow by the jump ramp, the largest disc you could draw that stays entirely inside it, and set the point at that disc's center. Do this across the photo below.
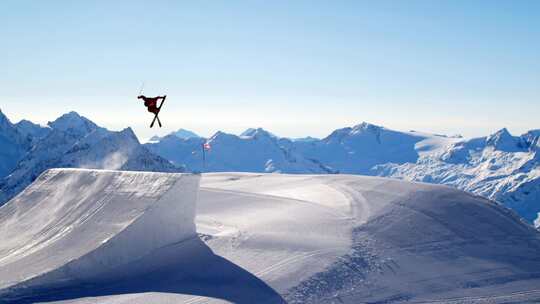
(189, 268)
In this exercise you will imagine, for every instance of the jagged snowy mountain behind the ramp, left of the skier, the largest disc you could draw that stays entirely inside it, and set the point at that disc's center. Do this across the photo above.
(73, 141)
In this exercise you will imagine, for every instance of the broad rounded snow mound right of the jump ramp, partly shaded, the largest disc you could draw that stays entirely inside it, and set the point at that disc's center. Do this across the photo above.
(355, 239)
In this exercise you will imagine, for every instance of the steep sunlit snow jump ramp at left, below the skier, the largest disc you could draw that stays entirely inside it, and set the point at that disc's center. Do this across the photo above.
(82, 226)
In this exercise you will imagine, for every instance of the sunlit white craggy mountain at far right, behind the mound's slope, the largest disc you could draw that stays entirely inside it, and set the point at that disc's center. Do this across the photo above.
(502, 167)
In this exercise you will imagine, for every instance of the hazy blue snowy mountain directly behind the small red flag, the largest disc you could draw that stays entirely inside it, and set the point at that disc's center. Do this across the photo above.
(255, 150)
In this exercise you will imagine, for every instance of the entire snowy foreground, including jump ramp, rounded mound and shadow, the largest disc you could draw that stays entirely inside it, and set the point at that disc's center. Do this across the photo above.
(88, 236)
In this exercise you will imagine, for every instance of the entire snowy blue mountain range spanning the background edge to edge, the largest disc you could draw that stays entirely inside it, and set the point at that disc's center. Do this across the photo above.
(500, 166)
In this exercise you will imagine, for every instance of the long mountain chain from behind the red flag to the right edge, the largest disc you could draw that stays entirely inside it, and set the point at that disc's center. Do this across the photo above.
(500, 166)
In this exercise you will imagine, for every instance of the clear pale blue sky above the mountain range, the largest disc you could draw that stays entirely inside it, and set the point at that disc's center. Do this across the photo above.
(294, 67)
